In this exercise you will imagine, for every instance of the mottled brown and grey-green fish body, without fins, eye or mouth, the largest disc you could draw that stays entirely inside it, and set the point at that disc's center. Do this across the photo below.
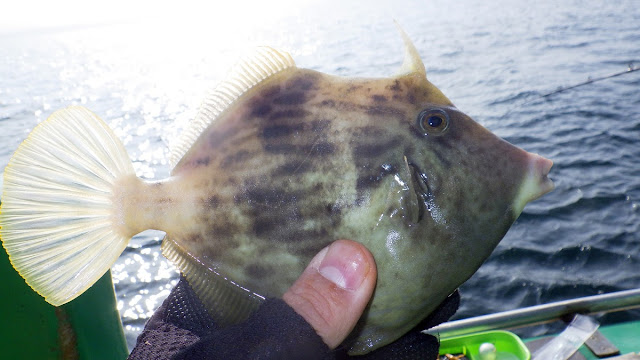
(306, 158)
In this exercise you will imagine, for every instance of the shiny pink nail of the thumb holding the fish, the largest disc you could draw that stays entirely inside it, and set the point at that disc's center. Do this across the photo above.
(344, 265)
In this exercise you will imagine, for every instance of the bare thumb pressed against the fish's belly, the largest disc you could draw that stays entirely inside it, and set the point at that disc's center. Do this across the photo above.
(334, 289)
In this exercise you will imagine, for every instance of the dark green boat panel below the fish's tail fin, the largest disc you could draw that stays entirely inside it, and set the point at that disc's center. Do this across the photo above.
(88, 327)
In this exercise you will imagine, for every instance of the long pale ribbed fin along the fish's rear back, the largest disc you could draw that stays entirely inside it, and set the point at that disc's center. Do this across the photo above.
(243, 76)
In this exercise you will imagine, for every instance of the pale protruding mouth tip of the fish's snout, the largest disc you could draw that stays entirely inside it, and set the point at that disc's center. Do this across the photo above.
(536, 181)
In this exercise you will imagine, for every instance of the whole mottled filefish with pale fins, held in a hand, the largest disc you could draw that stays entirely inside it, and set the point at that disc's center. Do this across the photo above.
(279, 162)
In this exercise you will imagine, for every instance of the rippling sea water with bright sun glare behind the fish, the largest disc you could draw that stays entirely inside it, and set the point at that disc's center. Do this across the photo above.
(495, 60)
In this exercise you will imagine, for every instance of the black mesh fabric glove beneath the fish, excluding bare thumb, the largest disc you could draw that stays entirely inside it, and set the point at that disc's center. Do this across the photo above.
(182, 329)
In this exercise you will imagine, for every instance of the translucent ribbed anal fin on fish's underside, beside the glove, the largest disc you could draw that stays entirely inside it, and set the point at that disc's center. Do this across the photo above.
(227, 302)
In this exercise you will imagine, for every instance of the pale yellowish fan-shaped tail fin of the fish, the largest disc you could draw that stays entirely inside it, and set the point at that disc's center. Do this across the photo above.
(56, 214)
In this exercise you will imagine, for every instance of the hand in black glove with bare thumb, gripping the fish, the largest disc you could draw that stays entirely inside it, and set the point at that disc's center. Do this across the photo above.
(317, 314)
